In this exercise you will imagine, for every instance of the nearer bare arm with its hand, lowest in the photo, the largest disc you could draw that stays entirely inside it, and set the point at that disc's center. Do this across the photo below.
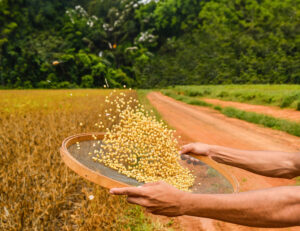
(276, 207)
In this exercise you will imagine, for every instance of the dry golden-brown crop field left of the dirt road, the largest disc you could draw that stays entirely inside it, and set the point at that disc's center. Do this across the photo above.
(37, 190)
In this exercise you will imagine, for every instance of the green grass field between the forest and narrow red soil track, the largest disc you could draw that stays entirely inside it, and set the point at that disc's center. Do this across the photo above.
(275, 95)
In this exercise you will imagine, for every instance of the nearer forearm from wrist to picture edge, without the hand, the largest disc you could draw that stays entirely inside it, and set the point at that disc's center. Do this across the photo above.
(277, 207)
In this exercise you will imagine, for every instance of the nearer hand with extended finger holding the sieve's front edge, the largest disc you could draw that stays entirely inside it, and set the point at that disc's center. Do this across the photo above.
(158, 198)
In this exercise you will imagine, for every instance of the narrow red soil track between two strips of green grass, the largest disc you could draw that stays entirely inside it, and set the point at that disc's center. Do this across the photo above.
(288, 114)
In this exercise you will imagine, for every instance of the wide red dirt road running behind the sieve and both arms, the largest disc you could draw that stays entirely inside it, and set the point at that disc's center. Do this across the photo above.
(205, 125)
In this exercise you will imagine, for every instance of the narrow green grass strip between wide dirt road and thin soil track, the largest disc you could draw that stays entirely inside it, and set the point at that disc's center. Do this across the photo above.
(292, 128)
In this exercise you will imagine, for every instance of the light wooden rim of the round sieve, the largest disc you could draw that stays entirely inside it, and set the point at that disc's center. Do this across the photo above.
(107, 182)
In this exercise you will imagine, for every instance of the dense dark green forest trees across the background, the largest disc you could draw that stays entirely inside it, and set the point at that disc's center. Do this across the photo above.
(91, 43)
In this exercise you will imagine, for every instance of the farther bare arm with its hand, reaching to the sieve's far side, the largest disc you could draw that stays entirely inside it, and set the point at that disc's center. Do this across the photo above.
(266, 163)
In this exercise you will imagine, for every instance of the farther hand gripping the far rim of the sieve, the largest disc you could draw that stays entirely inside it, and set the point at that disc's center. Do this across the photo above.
(195, 148)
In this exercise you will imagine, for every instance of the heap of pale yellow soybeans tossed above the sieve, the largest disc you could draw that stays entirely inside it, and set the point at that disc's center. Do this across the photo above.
(139, 146)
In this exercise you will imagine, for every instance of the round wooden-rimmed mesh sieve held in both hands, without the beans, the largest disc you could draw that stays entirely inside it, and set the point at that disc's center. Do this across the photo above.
(210, 177)
